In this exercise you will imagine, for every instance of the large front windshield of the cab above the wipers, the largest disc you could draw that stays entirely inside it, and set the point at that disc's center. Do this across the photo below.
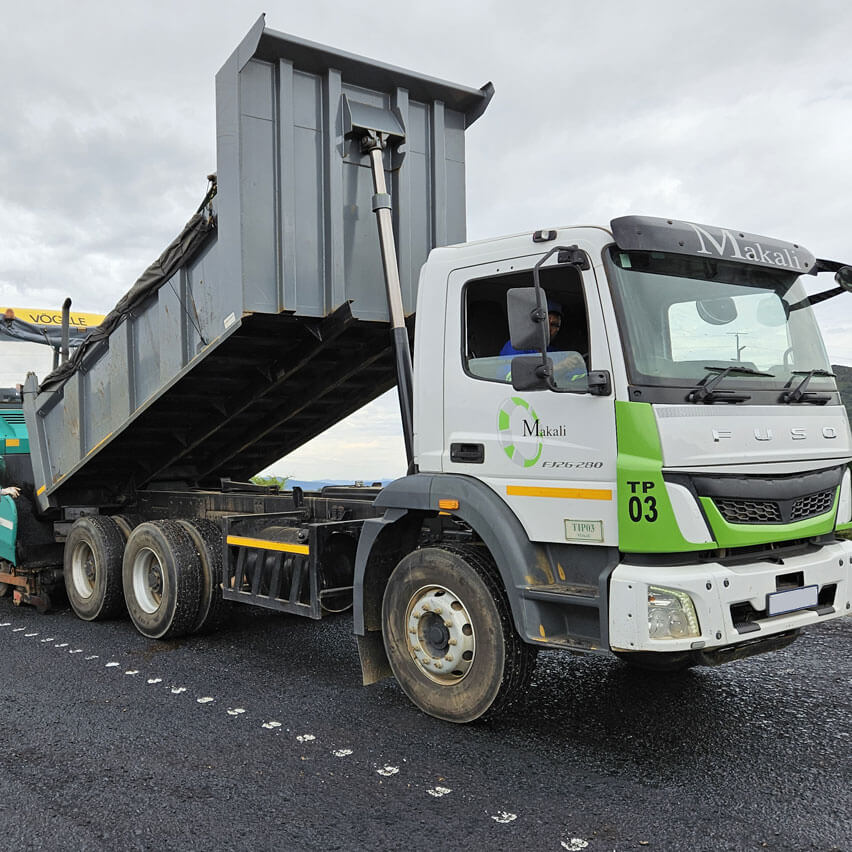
(681, 315)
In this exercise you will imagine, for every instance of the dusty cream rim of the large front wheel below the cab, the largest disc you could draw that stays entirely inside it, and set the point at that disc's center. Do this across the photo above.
(440, 635)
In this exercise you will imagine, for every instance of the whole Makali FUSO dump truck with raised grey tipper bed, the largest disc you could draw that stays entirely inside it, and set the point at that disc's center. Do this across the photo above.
(621, 440)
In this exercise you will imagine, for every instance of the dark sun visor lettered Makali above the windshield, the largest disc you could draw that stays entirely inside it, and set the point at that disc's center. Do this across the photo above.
(647, 233)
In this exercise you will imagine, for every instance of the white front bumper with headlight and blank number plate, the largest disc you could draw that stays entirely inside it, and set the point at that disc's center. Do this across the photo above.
(730, 601)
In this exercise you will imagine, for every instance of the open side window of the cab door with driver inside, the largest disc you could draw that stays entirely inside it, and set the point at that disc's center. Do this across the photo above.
(488, 351)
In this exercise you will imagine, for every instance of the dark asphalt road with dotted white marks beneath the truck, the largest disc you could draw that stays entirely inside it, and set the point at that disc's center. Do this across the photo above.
(261, 737)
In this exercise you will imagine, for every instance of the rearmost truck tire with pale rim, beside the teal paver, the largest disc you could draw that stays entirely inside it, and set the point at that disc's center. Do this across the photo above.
(92, 568)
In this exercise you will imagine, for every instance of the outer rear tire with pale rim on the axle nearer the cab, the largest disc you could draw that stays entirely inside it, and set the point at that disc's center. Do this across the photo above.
(162, 579)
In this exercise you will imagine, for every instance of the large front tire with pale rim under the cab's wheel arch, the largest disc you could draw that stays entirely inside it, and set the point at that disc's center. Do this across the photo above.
(492, 666)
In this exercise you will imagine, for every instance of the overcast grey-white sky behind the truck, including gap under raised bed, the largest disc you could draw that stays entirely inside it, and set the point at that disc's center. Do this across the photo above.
(728, 113)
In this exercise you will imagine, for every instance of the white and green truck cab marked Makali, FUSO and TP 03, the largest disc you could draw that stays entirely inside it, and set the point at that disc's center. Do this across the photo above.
(679, 494)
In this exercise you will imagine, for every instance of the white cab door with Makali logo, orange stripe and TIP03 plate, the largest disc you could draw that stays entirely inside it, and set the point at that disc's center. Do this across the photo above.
(550, 456)
